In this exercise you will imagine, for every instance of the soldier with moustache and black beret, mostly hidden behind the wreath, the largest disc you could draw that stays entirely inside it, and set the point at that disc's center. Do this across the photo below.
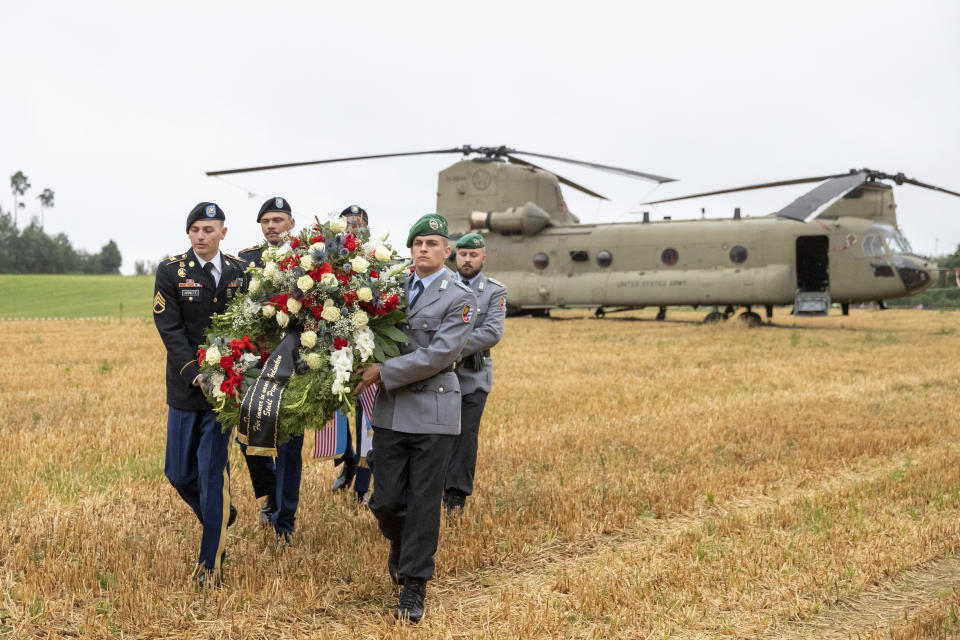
(278, 480)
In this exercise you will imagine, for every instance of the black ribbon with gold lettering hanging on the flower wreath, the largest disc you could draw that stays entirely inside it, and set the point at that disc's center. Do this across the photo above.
(260, 408)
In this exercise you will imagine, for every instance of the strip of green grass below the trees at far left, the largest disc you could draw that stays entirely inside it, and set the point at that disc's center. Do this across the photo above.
(75, 296)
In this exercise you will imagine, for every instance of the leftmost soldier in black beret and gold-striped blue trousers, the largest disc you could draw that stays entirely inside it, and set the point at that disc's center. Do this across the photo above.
(189, 289)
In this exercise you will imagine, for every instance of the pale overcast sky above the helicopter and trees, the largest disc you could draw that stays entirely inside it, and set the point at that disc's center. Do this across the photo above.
(120, 107)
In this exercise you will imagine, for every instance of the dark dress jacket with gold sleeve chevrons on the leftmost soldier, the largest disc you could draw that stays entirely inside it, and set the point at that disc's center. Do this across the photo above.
(184, 299)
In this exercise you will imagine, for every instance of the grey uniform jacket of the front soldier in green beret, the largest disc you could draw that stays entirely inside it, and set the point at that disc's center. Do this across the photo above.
(419, 392)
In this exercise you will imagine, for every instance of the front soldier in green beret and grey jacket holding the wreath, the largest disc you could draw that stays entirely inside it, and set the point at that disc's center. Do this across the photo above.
(417, 413)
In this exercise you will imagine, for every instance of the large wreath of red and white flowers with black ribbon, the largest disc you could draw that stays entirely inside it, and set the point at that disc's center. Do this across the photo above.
(282, 356)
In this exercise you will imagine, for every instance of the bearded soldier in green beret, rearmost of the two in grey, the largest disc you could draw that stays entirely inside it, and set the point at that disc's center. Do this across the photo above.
(475, 368)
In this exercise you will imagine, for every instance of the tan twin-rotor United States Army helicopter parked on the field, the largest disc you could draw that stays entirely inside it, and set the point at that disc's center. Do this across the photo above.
(836, 243)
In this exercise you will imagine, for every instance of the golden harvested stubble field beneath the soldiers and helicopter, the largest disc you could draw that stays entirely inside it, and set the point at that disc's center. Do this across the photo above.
(635, 479)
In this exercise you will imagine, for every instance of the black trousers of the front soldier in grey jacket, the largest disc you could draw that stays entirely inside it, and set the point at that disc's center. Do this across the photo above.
(408, 487)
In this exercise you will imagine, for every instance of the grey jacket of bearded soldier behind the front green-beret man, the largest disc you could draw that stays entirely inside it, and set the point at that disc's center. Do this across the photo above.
(475, 369)
